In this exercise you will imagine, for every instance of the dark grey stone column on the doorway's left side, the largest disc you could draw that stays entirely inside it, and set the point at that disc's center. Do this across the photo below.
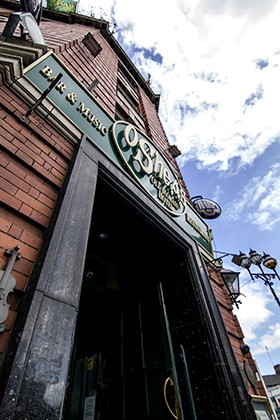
(38, 380)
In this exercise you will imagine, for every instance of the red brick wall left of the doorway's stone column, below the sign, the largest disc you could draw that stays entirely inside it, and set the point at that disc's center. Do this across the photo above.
(34, 160)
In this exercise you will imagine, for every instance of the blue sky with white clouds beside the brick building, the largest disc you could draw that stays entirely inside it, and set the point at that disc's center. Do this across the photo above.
(216, 65)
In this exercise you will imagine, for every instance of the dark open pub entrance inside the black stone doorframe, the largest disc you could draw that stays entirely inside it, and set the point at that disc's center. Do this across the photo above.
(142, 349)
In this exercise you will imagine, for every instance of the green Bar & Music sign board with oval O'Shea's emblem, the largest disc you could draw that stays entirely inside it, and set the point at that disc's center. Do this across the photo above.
(122, 142)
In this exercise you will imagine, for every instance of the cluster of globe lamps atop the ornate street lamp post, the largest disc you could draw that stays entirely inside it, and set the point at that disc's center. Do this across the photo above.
(244, 261)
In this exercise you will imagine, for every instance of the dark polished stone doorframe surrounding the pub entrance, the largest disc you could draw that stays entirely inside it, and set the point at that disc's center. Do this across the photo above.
(36, 374)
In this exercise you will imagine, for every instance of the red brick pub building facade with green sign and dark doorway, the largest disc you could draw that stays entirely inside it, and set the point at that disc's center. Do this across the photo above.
(112, 293)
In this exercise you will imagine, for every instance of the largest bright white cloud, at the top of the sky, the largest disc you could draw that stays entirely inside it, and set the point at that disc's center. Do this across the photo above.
(209, 38)
